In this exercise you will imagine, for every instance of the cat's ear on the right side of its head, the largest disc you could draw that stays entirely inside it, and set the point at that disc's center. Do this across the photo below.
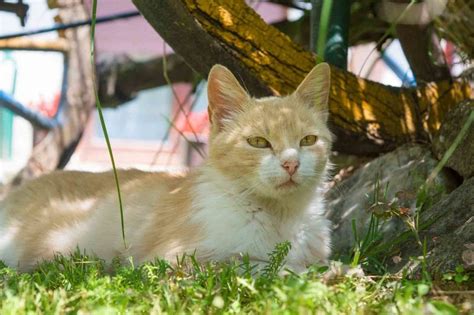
(314, 90)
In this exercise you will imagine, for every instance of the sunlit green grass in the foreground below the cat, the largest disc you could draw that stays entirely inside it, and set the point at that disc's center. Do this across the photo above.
(79, 284)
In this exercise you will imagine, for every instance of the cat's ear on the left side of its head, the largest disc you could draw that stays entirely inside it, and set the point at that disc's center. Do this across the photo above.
(225, 94)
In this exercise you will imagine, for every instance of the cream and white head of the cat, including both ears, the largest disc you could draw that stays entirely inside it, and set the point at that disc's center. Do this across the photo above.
(273, 146)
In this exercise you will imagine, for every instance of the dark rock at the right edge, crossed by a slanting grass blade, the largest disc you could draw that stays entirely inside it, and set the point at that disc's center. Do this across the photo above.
(462, 160)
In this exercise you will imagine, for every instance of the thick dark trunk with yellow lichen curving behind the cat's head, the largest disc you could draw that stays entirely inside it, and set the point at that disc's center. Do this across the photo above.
(367, 117)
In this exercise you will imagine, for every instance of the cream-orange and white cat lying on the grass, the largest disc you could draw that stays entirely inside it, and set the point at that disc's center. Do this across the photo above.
(261, 185)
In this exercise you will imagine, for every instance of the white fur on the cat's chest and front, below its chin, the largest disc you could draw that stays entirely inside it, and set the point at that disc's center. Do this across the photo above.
(235, 223)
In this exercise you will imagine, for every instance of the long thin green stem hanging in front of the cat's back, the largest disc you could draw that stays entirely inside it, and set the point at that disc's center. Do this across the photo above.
(102, 121)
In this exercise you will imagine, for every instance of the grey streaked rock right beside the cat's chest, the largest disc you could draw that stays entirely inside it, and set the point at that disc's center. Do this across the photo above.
(385, 185)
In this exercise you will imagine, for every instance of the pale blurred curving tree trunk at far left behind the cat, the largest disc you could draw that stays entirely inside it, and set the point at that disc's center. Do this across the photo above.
(54, 146)
